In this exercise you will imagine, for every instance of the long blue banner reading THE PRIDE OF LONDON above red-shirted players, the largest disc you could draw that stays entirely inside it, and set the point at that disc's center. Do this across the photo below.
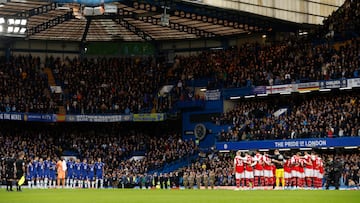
(292, 143)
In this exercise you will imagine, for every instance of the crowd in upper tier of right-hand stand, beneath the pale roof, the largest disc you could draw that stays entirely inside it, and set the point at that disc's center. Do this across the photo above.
(293, 60)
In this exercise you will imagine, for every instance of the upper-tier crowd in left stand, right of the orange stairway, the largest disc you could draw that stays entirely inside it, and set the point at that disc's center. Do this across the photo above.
(109, 85)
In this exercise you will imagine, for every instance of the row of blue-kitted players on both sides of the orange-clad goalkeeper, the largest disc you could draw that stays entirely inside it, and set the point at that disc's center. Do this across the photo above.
(42, 174)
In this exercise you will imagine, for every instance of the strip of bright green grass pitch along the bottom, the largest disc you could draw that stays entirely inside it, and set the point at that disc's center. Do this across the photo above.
(176, 196)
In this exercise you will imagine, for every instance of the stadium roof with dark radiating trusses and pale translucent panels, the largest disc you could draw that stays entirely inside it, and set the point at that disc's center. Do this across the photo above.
(142, 20)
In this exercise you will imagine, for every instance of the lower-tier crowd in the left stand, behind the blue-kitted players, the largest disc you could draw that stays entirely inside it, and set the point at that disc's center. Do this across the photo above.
(115, 145)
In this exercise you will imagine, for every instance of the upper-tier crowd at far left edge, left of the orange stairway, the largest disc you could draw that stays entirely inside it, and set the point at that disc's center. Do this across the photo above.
(24, 86)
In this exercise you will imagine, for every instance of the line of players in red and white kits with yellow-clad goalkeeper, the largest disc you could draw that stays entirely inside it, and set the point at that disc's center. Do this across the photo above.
(268, 171)
